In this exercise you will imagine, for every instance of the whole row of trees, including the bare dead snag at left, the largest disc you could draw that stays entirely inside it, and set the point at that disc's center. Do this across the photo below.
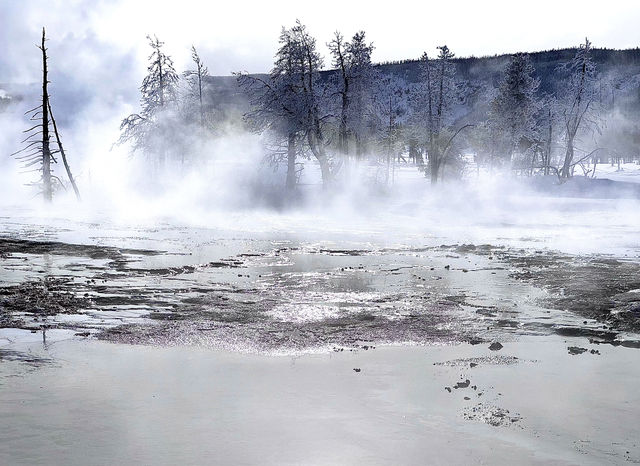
(357, 113)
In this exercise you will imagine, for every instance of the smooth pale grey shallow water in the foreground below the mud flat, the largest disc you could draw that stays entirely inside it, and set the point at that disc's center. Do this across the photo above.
(111, 403)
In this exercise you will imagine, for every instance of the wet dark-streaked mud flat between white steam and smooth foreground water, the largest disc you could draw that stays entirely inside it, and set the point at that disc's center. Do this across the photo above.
(292, 296)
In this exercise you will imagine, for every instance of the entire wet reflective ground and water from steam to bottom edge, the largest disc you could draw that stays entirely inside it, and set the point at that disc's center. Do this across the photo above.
(160, 344)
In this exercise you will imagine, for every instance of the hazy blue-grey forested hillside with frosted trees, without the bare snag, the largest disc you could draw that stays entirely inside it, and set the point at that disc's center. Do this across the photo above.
(552, 113)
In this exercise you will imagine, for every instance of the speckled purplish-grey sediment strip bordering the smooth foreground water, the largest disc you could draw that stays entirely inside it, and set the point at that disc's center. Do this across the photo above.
(258, 333)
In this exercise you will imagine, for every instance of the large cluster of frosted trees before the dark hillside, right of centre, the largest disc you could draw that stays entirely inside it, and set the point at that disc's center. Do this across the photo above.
(362, 112)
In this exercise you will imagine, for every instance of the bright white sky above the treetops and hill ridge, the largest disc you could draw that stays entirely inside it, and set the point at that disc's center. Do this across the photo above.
(242, 35)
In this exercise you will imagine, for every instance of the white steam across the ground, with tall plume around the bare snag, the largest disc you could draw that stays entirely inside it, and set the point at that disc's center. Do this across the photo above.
(227, 186)
